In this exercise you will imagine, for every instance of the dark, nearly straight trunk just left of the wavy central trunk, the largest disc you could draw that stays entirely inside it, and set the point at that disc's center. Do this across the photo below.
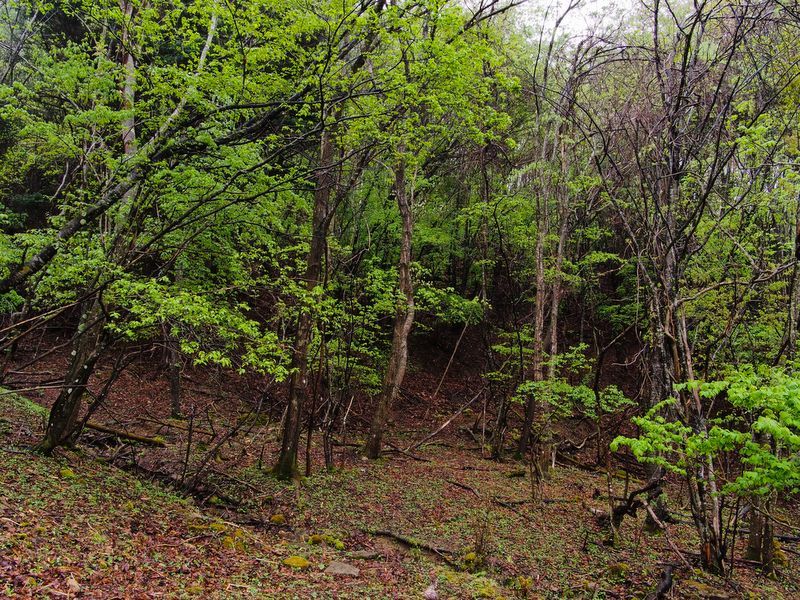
(298, 383)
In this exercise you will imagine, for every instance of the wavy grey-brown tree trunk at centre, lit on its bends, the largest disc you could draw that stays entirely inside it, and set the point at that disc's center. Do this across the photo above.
(404, 320)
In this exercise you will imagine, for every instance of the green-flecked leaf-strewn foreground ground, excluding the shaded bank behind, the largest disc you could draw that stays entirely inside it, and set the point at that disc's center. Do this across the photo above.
(73, 525)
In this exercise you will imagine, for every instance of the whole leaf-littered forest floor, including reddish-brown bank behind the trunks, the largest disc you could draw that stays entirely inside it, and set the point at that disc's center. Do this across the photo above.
(106, 520)
